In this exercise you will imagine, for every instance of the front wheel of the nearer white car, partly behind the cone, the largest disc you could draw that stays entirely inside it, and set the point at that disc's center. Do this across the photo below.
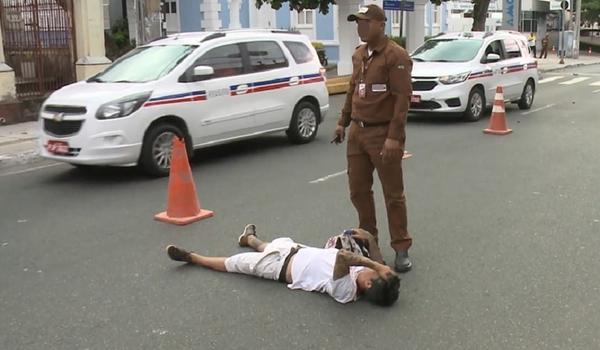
(155, 158)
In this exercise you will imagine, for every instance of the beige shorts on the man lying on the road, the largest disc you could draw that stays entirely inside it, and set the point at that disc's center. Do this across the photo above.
(265, 264)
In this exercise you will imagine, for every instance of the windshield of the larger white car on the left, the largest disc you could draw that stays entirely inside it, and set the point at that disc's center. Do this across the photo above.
(144, 64)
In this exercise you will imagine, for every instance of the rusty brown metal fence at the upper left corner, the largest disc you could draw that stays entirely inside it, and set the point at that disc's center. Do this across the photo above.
(38, 44)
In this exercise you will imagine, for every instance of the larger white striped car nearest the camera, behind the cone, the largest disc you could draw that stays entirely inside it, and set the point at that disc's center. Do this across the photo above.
(209, 88)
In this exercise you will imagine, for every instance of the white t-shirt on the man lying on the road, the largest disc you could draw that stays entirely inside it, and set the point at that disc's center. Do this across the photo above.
(312, 270)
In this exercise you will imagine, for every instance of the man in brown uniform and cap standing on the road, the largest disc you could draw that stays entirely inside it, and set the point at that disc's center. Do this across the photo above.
(376, 106)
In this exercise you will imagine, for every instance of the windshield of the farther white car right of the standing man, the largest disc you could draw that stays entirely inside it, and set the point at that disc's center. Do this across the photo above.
(447, 50)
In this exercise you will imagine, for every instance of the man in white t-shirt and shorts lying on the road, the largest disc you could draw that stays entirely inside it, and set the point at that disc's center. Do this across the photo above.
(342, 274)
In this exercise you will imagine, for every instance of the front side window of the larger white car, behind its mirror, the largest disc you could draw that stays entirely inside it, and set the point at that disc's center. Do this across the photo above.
(225, 60)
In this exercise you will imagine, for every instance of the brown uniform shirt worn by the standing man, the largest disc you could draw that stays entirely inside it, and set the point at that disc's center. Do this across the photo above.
(387, 89)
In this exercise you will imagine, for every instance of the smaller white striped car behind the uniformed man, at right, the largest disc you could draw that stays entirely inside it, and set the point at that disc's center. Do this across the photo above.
(459, 72)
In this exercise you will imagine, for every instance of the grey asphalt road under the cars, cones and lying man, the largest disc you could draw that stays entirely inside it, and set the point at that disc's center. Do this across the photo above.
(506, 239)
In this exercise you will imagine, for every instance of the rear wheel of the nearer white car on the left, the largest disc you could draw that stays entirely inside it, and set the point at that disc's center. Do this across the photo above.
(304, 124)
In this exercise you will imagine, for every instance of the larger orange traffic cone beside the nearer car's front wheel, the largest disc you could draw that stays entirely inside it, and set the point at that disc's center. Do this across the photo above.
(183, 206)
